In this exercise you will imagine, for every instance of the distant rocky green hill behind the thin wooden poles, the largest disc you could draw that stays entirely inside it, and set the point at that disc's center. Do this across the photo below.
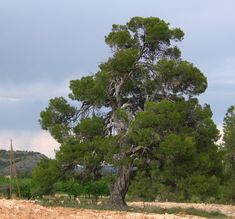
(25, 162)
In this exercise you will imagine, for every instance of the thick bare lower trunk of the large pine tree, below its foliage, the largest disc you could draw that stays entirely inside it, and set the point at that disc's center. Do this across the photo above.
(120, 187)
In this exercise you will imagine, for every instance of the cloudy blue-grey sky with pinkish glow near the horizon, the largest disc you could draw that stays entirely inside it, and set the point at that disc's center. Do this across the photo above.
(46, 43)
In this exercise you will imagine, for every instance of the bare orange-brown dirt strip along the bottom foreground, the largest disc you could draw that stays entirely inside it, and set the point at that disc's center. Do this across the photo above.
(18, 209)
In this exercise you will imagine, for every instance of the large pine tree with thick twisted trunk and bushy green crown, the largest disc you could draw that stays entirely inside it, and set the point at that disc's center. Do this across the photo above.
(141, 102)
